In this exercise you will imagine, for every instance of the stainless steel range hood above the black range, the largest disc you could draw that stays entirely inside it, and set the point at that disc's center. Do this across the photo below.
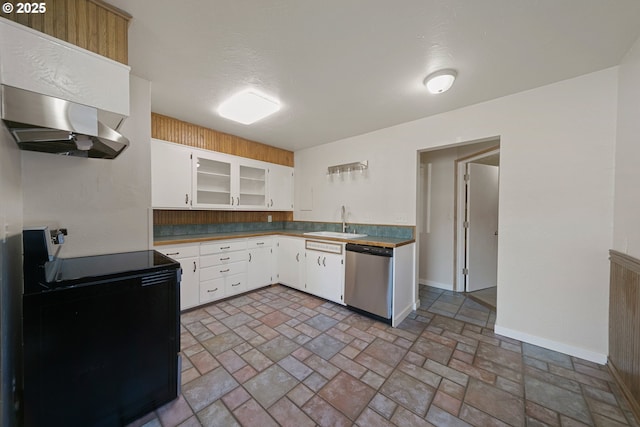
(47, 124)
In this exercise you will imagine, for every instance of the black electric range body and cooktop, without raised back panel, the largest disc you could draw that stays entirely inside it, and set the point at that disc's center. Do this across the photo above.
(101, 338)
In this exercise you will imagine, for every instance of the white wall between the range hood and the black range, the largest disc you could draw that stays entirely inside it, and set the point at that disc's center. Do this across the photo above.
(103, 203)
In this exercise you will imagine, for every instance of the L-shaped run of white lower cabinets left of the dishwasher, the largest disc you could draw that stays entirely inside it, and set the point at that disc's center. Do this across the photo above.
(223, 268)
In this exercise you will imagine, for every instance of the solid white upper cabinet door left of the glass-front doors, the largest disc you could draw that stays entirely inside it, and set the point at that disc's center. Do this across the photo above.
(170, 175)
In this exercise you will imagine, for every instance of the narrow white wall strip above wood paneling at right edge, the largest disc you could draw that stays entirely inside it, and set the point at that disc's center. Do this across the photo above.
(626, 235)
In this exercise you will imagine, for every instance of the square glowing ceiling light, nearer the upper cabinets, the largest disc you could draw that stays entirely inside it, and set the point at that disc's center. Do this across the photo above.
(248, 106)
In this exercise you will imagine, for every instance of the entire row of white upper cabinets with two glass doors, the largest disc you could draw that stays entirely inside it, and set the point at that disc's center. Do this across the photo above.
(184, 177)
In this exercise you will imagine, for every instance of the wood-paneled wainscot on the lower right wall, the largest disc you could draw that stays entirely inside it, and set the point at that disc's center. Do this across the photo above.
(624, 324)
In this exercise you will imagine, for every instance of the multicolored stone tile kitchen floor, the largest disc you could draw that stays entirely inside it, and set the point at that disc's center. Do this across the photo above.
(277, 356)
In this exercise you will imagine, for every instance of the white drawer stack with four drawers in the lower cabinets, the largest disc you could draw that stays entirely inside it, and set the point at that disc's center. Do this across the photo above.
(223, 269)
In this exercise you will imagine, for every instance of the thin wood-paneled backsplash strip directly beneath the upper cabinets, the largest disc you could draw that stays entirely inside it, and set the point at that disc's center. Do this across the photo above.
(170, 217)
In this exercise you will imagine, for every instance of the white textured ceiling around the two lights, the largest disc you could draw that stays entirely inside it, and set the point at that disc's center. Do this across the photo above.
(346, 67)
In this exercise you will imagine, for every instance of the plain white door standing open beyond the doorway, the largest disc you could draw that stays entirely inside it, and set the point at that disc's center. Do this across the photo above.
(482, 230)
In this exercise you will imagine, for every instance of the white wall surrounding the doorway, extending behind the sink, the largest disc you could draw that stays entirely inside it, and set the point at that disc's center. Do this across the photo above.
(556, 198)
